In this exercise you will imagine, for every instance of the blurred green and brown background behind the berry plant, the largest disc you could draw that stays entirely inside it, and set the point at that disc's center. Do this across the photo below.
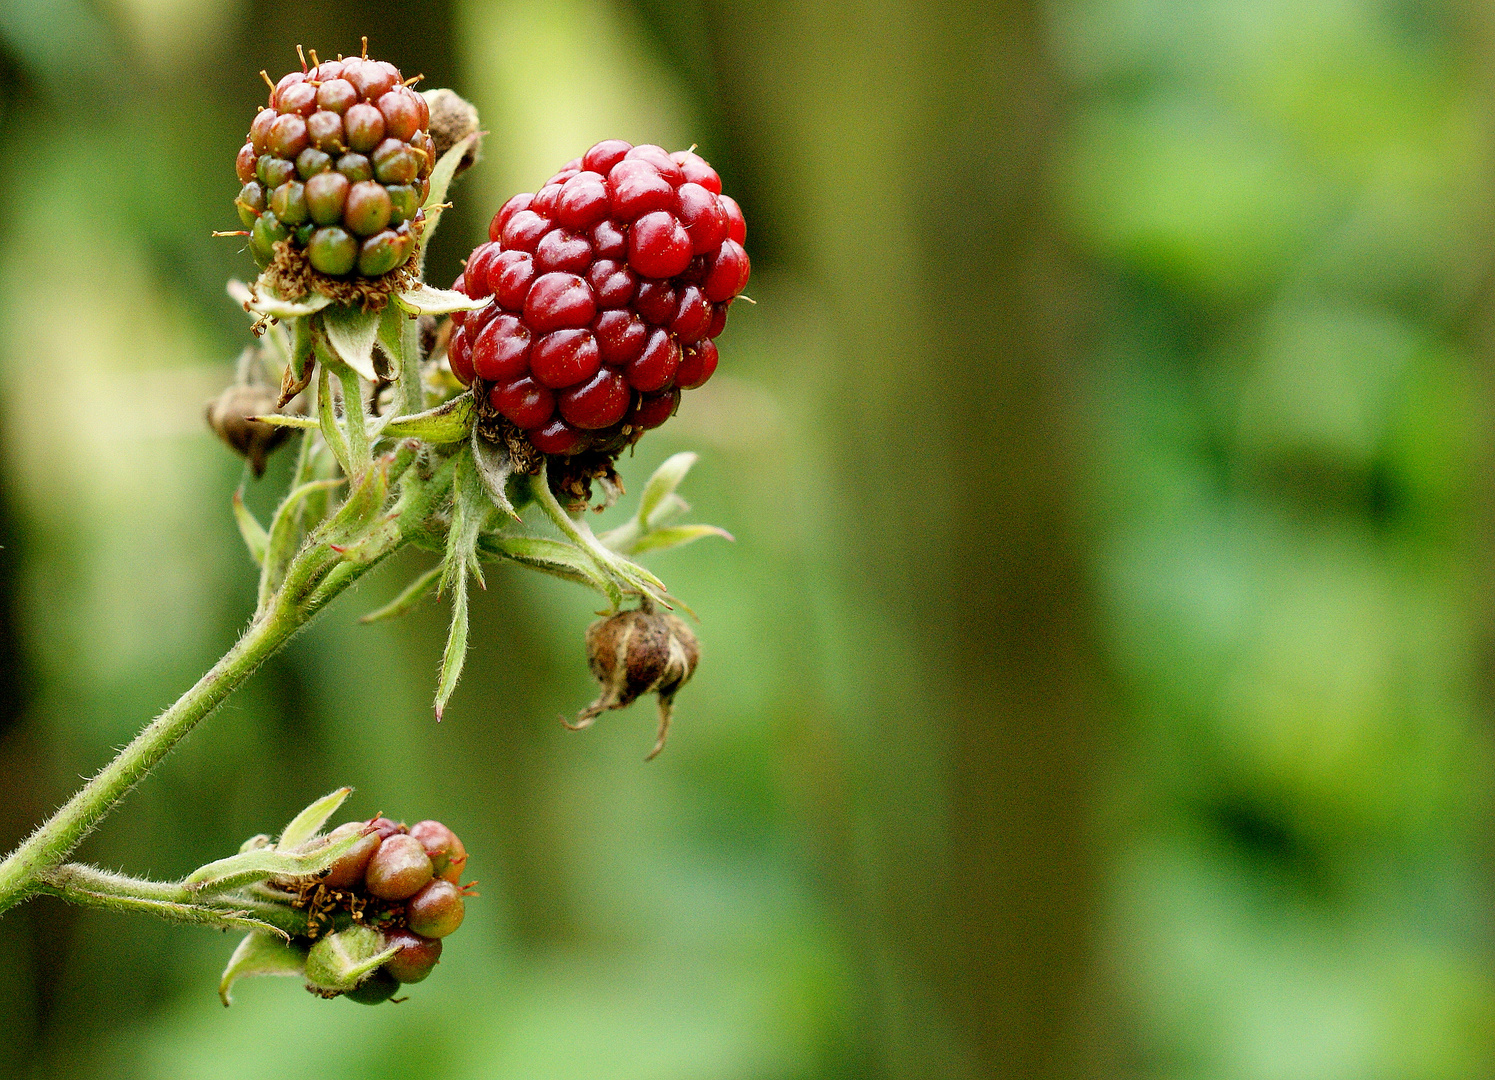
(1098, 686)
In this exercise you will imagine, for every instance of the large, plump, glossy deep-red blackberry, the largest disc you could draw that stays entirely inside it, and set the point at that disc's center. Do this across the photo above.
(609, 286)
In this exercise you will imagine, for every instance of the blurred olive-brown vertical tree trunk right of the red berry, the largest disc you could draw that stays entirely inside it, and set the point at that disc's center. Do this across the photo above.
(902, 147)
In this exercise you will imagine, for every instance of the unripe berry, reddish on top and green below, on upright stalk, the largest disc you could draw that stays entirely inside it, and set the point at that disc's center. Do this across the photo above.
(339, 165)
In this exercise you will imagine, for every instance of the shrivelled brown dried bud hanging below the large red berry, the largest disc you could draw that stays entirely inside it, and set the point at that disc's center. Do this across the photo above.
(639, 653)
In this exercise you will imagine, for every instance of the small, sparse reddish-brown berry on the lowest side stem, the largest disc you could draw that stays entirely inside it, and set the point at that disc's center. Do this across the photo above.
(401, 882)
